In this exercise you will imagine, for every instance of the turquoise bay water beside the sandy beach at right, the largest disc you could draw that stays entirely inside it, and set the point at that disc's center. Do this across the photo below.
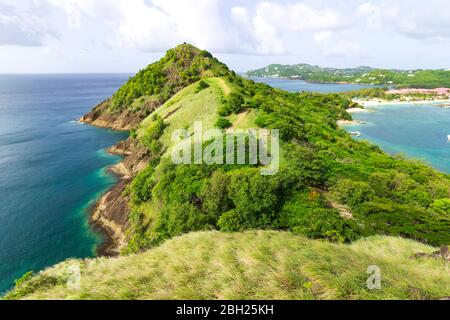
(417, 131)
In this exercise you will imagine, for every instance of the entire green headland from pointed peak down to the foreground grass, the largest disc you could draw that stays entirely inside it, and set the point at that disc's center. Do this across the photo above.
(329, 186)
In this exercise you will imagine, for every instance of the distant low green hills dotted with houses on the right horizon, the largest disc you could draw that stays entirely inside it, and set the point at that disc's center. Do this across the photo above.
(363, 75)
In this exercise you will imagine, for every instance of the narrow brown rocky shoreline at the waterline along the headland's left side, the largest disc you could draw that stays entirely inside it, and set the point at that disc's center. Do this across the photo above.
(109, 215)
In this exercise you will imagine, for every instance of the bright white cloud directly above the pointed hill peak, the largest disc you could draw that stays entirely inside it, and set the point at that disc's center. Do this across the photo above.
(205, 23)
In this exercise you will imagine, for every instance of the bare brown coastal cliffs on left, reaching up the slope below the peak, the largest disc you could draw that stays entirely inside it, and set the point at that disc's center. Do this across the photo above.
(110, 214)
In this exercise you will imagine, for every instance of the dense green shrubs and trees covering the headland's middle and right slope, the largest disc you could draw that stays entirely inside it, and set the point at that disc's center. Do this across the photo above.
(384, 195)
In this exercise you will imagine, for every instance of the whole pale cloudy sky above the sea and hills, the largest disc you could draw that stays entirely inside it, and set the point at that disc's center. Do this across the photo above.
(123, 36)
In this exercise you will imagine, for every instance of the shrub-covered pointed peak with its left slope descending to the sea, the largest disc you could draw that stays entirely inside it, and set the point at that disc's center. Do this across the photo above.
(154, 85)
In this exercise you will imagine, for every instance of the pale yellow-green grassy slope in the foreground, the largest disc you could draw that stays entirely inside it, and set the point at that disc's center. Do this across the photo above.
(251, 265)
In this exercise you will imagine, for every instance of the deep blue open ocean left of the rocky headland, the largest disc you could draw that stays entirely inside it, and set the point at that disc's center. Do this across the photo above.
(52, 168)
